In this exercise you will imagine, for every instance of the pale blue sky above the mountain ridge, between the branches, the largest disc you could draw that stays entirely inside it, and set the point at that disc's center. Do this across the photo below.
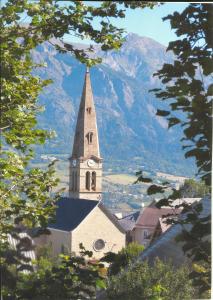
(147, 22)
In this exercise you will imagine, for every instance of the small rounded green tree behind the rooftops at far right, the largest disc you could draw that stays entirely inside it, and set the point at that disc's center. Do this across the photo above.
(194, 189)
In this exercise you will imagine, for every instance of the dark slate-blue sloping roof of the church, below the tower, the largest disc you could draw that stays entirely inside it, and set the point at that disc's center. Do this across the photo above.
(71, 212)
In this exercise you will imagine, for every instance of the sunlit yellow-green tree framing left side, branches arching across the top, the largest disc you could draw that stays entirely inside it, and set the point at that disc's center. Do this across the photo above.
(26, 197)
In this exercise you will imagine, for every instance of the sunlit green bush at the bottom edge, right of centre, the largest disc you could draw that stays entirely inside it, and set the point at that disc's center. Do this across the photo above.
(160, 281)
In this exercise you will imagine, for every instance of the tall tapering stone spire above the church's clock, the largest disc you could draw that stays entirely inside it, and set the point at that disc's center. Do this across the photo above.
(86, 124)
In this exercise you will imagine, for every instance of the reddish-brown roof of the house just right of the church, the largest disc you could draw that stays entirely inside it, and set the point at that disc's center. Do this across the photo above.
(151, 215)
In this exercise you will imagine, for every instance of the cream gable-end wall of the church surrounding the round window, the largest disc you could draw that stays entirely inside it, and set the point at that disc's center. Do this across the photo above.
(98, 226)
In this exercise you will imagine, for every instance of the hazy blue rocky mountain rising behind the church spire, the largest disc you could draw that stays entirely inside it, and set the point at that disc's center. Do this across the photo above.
(129, 130)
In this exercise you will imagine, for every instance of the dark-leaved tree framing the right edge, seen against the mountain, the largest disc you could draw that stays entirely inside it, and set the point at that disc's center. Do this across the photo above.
(188, 91)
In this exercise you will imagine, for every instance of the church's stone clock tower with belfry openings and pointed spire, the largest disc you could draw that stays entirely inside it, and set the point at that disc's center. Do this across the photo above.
(85, 179)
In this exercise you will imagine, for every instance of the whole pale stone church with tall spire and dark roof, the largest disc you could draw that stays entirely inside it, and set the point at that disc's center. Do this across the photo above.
(81, 217)
